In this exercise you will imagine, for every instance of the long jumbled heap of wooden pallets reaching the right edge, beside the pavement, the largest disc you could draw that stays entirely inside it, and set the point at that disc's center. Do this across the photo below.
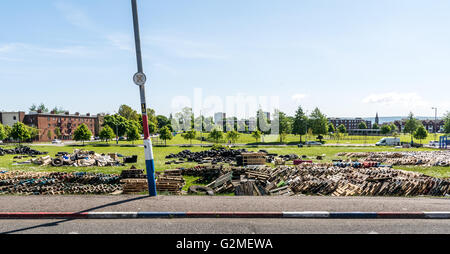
(327, 179)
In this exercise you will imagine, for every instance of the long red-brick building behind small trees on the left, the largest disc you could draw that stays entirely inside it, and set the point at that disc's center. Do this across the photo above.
(67, 123)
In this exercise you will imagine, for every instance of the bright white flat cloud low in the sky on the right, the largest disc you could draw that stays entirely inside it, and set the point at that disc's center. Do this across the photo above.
(397, 99)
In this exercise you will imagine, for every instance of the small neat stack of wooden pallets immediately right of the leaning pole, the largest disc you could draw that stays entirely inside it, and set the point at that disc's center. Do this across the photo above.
(170, 181)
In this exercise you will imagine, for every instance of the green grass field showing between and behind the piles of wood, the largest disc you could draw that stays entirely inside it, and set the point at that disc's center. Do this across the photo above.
(6, 162)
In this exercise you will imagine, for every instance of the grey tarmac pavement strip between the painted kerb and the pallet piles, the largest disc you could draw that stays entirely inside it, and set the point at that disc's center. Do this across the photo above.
(129, 203)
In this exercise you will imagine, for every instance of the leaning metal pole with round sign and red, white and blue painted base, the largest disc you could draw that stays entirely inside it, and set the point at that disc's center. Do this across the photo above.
(140, 80)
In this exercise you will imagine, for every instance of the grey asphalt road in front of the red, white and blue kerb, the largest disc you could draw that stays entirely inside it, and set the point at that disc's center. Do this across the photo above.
(225, 226)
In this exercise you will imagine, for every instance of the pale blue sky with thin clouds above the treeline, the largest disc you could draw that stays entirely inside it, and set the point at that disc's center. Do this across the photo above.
(350, 58)
